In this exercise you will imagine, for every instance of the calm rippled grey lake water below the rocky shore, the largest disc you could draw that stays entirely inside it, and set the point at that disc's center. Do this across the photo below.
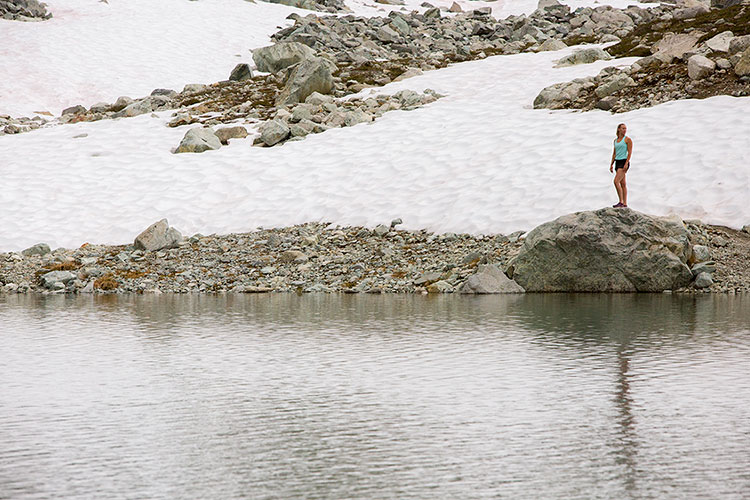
(280, 396)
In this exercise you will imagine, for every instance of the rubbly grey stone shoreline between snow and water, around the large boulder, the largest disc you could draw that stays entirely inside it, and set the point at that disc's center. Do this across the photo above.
(319, 257)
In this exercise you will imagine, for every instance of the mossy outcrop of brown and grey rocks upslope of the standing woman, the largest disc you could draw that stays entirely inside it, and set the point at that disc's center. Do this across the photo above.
(692, 53)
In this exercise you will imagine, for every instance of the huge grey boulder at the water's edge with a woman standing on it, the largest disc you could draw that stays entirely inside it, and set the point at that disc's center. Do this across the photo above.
(607, 250)
